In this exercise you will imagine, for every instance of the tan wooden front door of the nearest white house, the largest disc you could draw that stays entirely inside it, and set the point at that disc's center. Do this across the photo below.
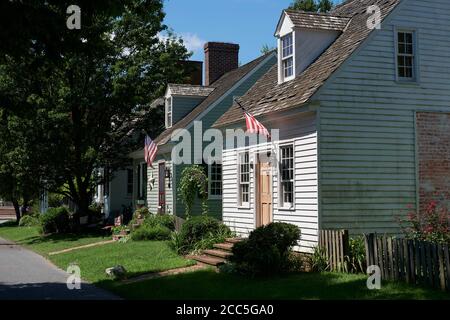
(264, 194)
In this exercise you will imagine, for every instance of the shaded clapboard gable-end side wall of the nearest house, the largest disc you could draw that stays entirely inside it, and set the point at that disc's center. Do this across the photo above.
(367, 130)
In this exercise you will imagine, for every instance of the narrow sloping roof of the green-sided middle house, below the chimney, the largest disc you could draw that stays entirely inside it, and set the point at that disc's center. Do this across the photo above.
(221, 86)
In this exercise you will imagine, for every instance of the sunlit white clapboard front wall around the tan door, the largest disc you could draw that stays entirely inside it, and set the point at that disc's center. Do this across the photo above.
(302, 133)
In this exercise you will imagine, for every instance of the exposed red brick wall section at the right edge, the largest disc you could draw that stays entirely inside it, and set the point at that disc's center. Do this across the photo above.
(433, 140)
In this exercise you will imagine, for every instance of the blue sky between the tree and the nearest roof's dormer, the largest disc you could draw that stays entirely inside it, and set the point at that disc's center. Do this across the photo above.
(250, 23)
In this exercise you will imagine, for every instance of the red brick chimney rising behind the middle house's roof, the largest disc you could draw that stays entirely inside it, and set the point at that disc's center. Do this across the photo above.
(219, 59)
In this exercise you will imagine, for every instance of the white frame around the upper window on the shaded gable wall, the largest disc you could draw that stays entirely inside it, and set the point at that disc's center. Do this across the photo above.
(414, 55)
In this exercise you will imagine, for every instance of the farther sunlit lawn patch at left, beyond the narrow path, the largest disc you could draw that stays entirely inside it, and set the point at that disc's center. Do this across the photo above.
(29, 237)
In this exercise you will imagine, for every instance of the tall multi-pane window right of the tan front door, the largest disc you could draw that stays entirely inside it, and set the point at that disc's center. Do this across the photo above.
(287, 175)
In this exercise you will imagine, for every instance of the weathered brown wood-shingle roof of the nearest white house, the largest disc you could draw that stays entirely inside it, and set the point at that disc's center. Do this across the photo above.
(268, 96)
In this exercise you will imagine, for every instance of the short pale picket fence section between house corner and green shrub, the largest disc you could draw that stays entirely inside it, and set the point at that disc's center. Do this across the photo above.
(335, 243)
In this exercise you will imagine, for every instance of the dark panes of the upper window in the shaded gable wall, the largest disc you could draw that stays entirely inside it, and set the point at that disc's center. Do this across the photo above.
(405, 55)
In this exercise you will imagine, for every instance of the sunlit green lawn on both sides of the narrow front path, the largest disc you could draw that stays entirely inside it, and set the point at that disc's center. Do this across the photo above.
(136, 256)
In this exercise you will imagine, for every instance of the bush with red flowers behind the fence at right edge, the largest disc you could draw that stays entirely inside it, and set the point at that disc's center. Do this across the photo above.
(431, 225)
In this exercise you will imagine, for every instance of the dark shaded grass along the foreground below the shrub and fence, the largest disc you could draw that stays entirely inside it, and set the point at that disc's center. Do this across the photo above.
(204, 285)
